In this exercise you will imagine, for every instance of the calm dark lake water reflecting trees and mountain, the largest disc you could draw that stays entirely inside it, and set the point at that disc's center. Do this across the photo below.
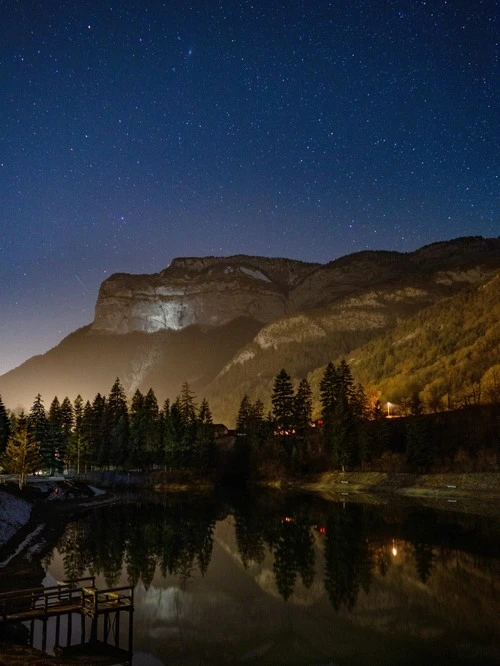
(275, 579)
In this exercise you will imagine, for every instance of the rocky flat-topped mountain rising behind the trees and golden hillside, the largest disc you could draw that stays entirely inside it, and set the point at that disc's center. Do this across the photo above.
(227, 325)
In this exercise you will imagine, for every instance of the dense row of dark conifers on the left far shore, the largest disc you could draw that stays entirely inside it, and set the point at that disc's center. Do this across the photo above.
(108, 433)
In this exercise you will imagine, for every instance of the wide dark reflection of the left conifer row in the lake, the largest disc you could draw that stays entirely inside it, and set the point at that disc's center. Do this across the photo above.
(176, 536)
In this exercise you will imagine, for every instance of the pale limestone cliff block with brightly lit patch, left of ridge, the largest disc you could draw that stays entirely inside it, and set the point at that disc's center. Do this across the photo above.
(204, 291)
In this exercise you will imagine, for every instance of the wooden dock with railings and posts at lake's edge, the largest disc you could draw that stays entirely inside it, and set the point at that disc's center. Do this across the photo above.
(80, 597)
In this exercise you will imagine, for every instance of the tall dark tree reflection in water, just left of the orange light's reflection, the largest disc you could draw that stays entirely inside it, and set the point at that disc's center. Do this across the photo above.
(348, 564)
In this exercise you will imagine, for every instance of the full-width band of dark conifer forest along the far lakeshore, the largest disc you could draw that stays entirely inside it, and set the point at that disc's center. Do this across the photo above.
(352, 433)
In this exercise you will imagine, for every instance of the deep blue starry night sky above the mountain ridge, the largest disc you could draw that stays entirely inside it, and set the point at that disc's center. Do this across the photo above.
(134, 132)
